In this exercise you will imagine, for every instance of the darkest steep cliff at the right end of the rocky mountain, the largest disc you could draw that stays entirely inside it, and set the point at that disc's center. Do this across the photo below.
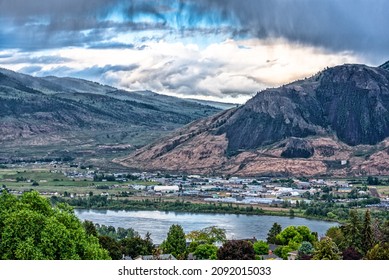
(355, 102)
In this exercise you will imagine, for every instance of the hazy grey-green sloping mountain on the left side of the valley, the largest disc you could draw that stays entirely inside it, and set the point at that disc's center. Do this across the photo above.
(43, 117)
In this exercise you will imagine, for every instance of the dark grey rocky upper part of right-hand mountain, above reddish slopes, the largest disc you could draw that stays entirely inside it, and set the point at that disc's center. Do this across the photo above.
(349, 100)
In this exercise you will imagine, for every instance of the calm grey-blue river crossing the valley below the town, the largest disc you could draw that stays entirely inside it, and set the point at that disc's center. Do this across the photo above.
(158, 222)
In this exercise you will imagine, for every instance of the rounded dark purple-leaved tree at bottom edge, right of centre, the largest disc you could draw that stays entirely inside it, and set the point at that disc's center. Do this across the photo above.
(236, 250)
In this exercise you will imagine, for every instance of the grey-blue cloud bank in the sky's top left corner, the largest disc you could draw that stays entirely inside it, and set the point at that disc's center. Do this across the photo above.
(41, 24)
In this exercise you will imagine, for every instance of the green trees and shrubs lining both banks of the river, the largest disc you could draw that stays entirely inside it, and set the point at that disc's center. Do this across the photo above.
(30, 222)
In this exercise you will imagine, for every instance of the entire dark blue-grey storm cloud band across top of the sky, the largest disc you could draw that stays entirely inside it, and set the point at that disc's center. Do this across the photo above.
(347, 25)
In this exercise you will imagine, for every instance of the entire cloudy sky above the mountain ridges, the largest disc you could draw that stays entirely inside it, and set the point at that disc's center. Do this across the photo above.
(223, 50)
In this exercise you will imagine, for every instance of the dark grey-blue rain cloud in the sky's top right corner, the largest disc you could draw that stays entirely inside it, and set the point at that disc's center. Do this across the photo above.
(355, 25)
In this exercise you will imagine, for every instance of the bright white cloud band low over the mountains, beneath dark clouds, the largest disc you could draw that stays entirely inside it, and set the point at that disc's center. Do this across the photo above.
(231, 70)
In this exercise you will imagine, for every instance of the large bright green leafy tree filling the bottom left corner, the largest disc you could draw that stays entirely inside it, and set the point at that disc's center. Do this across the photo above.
(30, 229)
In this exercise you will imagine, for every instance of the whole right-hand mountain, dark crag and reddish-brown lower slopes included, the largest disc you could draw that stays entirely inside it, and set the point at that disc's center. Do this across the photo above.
(333, 123)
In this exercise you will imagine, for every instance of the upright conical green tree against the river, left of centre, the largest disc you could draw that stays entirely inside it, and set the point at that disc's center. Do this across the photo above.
(175, 242)
